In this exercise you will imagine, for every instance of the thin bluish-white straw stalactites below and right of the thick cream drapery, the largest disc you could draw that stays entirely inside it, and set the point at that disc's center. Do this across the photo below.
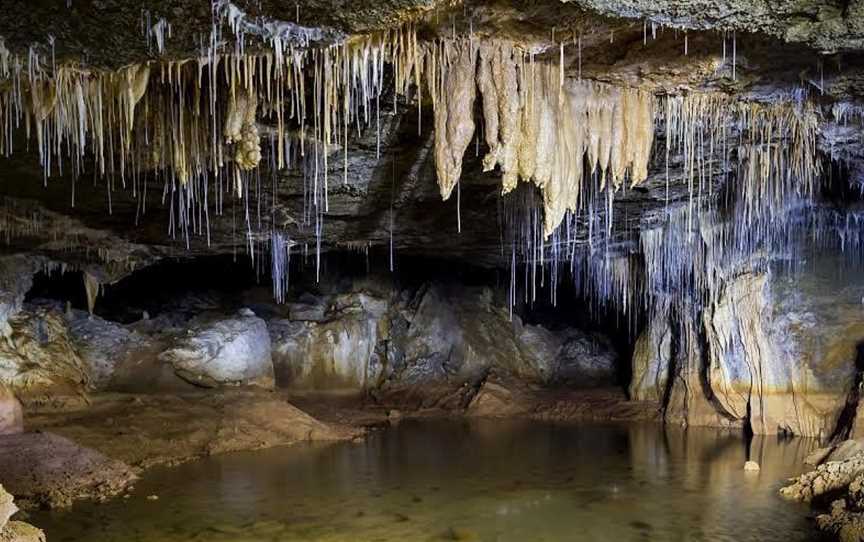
(763, 155)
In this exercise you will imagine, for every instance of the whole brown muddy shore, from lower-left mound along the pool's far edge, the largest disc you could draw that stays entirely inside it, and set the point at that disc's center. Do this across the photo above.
(99, 450)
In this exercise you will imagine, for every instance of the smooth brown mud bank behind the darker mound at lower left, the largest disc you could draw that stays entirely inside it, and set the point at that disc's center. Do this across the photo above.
(147, 430)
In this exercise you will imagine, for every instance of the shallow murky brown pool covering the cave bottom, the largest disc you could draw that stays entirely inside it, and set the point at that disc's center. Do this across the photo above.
(455, 480)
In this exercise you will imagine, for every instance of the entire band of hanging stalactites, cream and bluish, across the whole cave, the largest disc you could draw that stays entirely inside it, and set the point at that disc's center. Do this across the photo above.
(206, 125)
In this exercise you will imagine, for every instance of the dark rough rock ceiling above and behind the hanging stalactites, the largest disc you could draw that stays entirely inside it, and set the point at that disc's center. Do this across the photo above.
(760, 51)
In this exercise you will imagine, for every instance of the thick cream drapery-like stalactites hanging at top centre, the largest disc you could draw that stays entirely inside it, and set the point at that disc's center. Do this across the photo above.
(539, 126)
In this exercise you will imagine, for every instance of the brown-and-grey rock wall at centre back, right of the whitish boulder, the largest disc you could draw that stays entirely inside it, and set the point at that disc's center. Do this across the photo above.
(435, 334)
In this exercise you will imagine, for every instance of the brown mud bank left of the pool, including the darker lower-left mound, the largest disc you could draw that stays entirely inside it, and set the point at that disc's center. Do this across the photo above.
(97, 452)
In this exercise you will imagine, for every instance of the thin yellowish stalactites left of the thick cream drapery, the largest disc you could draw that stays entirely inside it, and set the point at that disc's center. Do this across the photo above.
(198, 120)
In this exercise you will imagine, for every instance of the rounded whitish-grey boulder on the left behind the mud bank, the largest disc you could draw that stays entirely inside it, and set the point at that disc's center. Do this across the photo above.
(230, 352)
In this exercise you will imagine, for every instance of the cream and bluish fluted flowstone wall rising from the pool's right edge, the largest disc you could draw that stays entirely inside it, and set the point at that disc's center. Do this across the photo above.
(774, 350)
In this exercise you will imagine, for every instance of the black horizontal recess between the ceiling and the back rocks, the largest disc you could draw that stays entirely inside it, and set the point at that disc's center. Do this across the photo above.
(193, 288)
